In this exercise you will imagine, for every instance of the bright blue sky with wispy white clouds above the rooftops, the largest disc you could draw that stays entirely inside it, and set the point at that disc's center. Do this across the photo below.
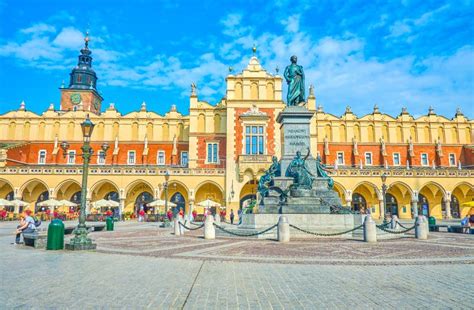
(357, 53)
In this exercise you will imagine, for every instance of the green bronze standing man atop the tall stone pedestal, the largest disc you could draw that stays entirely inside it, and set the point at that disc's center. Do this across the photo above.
(294, 76)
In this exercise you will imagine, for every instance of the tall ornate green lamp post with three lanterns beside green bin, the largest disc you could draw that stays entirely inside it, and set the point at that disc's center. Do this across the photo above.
(80, 240)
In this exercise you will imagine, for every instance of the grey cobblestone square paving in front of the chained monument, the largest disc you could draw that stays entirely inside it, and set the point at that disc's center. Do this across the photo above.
(141, 266)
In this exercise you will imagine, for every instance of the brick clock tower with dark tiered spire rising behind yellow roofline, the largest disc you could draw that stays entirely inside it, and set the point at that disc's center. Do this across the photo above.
(81, 94)
